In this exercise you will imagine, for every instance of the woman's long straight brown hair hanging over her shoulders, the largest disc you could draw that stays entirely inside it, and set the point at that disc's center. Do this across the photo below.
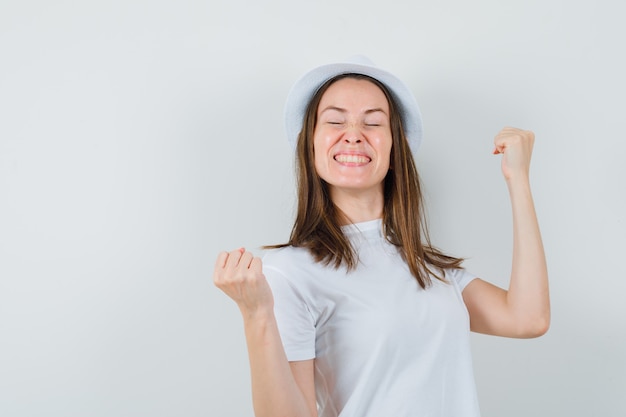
(317, 226)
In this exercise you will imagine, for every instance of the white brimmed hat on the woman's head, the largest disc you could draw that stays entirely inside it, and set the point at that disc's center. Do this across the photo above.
(305, 88)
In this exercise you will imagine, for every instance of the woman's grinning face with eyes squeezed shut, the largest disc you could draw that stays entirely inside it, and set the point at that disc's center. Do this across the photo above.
(352, 138)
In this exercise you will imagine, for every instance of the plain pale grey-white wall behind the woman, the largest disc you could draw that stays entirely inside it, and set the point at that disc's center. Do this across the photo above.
(140, 138)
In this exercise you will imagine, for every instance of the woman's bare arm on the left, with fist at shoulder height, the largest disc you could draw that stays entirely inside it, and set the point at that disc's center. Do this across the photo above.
(279, 388)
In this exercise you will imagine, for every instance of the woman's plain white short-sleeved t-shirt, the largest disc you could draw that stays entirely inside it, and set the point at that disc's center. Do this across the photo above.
(383, 347)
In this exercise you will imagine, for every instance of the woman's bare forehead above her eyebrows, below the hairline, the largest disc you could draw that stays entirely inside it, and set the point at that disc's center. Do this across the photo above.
(354, 92)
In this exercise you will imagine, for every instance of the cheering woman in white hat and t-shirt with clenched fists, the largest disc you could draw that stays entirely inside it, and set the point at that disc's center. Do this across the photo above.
(358, 315)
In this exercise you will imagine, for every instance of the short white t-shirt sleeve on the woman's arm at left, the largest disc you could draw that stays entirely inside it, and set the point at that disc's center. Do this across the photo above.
(294, 319)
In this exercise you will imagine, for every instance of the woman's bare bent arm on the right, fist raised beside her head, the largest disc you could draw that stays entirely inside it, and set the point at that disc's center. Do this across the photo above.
(524, 310)
